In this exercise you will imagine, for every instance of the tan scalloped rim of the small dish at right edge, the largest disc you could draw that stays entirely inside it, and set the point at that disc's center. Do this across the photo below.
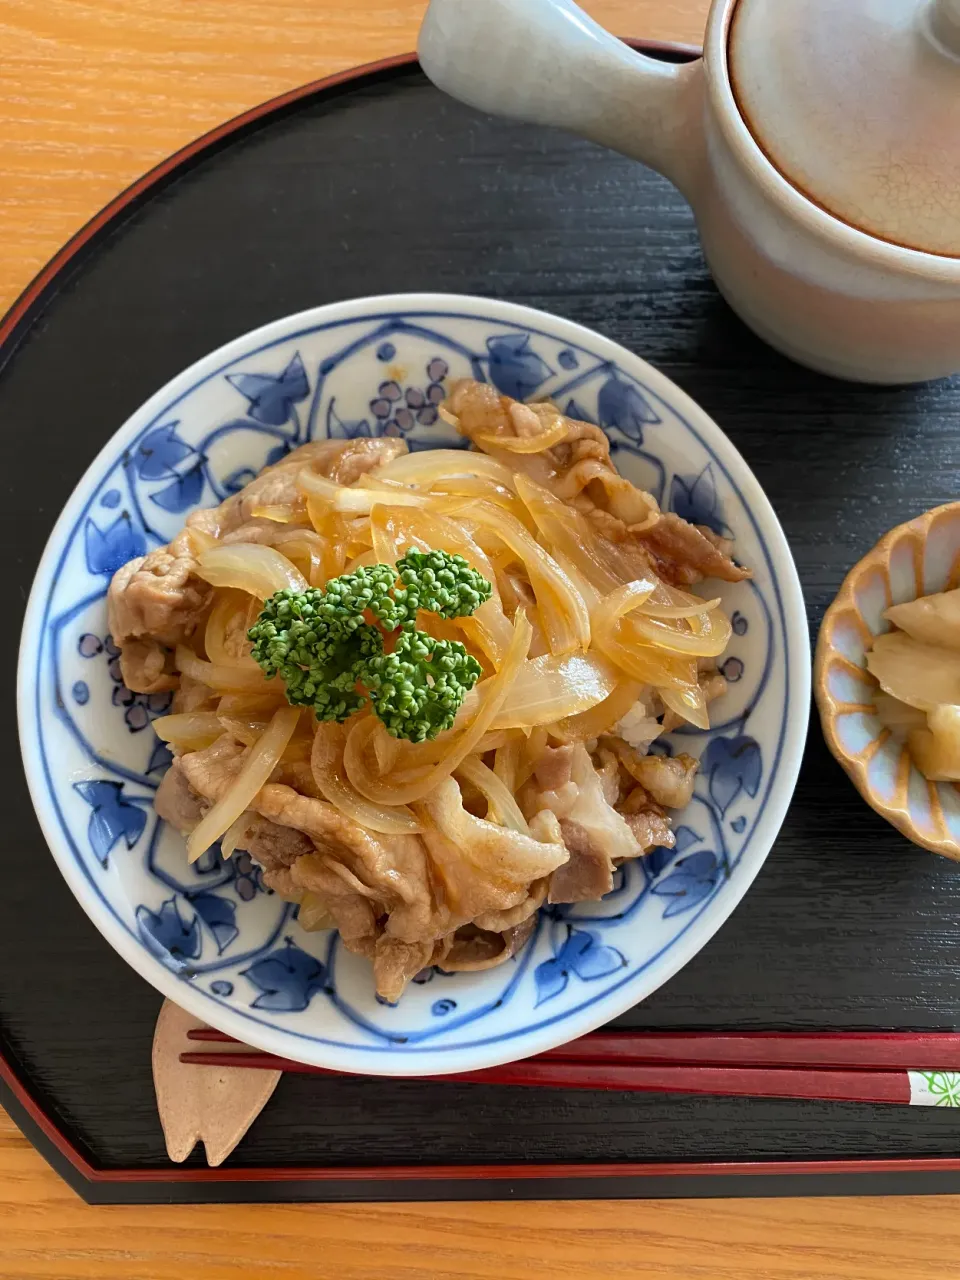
(829, 706)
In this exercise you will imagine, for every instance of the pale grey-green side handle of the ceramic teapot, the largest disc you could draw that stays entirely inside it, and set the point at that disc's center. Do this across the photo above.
(548, 63)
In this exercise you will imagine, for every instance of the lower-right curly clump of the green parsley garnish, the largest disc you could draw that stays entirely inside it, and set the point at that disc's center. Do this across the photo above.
(418, 689)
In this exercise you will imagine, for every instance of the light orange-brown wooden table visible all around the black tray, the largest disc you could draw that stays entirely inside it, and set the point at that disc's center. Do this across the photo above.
(93, 93)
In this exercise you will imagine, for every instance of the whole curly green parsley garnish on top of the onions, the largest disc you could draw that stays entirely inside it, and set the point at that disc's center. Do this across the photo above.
(327, 652)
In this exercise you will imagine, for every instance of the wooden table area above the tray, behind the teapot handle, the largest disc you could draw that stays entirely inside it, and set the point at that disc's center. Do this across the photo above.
(94, 94)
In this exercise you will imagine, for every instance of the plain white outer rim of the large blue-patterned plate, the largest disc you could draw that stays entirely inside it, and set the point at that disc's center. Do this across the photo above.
(577, 1022)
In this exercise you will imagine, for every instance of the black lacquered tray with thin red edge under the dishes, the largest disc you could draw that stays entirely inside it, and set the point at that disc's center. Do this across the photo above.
(377, 184)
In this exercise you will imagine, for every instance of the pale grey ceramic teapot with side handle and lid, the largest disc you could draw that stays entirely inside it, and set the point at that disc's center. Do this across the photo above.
(817, 140)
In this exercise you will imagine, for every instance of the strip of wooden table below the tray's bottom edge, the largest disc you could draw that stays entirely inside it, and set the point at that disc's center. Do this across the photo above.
(47, 1233)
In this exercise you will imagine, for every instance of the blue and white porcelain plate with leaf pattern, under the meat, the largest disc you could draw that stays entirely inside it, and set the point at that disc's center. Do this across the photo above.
(211, 936)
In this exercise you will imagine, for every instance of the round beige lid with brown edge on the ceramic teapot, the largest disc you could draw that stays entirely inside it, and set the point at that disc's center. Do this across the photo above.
(857, 103)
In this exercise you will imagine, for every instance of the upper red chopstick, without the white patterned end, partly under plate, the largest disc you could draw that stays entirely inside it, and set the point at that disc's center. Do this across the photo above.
(931, 1052)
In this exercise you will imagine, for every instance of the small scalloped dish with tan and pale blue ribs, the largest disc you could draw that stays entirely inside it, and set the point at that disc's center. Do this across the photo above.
(913, 560)
